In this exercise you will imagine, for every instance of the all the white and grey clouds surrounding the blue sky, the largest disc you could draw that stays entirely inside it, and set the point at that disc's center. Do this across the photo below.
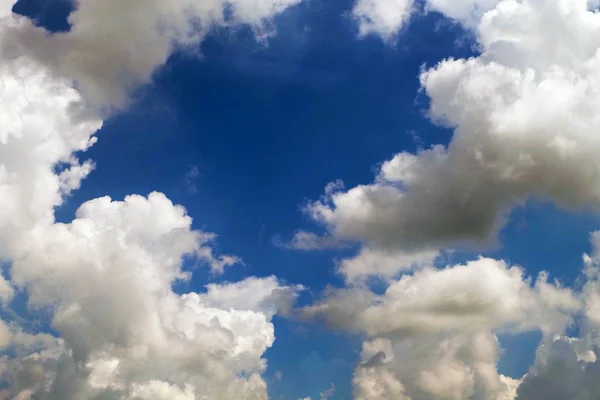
(524, 125)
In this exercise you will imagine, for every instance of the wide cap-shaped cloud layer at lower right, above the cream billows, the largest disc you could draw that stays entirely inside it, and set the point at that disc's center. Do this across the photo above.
(481, 295)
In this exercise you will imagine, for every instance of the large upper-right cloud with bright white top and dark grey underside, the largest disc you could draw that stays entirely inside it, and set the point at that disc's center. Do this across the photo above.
(524, 127)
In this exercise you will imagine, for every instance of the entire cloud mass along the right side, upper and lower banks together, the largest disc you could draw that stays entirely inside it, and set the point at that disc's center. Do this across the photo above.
(525, 126)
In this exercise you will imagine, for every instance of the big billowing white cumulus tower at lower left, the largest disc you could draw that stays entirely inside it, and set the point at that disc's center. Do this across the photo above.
(108, 277)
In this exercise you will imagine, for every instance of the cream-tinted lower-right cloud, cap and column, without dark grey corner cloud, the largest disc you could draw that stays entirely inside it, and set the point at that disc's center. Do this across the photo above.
(432, 334)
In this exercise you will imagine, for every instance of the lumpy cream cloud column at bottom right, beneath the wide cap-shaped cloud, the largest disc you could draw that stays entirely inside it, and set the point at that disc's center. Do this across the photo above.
(431, 368)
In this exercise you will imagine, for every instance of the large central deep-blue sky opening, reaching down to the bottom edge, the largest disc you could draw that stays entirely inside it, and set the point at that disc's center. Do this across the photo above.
(267, 128)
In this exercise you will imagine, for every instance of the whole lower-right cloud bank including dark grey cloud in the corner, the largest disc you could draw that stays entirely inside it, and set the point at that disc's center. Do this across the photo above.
(432, 334)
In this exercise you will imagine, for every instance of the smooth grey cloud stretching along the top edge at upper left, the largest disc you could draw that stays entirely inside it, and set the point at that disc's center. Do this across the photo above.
(112, 46)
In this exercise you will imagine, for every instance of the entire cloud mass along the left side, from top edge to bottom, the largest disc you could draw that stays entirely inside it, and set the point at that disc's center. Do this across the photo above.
(105, 279)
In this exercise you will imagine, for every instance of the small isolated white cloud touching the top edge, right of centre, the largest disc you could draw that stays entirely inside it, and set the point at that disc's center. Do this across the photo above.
(382, 17)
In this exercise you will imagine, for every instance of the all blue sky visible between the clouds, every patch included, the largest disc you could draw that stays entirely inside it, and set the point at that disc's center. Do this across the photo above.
(244, 134)
